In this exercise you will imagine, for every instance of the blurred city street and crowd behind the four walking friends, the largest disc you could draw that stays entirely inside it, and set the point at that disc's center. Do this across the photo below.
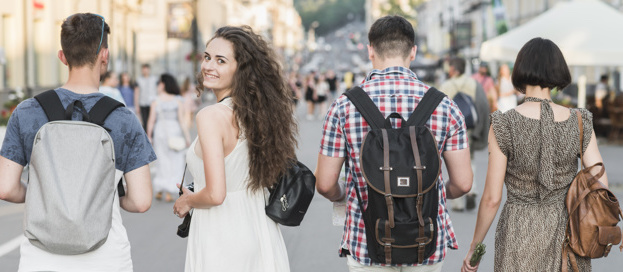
(311, 38)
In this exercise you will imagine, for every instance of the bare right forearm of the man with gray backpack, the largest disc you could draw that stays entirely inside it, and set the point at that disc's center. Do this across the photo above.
(139, 192)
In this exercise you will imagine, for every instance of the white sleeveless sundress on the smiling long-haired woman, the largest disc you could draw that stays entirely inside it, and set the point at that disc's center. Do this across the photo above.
(236, 235)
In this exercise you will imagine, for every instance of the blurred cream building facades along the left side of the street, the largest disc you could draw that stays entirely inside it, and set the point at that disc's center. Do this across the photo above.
(142, 31)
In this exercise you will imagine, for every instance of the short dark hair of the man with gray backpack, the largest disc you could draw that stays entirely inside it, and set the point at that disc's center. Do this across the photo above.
(80, 38)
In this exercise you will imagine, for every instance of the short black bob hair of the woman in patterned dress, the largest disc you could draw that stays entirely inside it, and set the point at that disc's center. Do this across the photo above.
(540, 63)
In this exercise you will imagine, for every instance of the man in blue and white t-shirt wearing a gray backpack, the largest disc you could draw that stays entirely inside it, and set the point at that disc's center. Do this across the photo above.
(78, 144)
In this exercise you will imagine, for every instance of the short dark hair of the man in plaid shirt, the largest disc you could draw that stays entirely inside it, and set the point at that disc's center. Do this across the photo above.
(392, 36)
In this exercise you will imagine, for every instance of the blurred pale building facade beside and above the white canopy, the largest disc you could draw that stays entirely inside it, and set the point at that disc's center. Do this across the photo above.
(459, 27)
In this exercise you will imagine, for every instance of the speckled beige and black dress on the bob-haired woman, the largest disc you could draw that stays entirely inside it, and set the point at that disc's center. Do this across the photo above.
(542, 161)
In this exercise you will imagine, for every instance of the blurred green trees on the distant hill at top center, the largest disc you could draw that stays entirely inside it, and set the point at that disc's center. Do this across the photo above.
(330, 14)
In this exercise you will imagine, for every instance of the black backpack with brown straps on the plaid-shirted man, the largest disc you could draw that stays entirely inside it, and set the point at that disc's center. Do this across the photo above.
(401, 167)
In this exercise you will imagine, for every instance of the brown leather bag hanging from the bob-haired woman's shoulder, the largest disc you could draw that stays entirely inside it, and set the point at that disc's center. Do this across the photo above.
(593, 215)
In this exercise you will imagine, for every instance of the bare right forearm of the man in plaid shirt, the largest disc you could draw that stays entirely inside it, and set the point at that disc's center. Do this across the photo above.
(460, 173)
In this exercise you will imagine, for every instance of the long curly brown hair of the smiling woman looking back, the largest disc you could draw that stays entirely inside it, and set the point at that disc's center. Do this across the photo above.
(262, 105)
